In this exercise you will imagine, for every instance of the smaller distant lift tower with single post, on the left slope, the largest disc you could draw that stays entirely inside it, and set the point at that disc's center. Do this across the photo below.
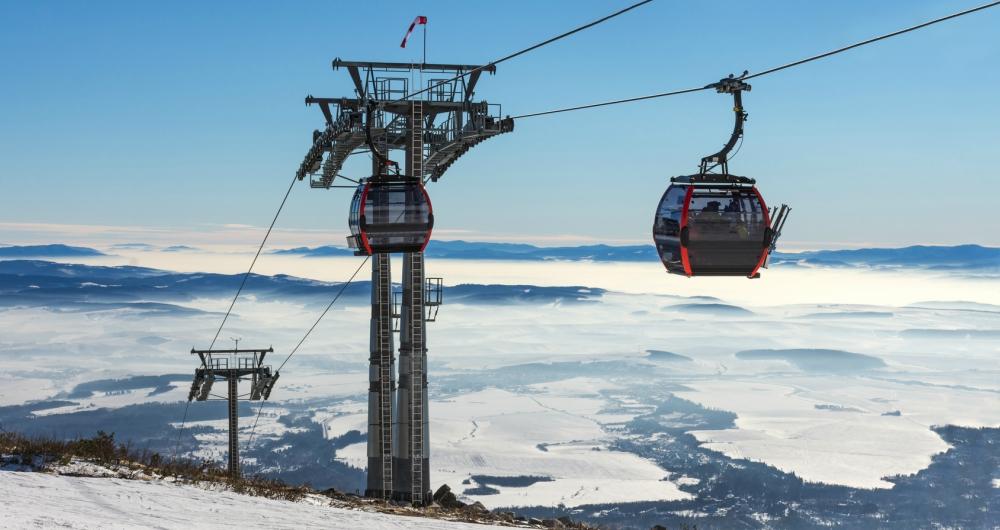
(232, 366)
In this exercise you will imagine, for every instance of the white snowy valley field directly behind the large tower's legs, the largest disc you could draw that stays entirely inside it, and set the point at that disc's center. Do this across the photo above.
(556, 435)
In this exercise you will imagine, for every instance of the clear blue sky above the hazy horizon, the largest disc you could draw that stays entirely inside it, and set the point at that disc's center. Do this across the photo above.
(190, 115)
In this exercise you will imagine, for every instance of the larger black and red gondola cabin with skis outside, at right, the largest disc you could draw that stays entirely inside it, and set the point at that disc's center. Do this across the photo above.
(712, 228)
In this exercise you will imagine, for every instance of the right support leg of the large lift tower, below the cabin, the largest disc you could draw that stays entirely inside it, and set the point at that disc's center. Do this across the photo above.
(411, 450)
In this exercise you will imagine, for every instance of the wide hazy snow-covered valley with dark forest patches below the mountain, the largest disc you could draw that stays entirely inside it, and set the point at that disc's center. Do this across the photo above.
(630, 409)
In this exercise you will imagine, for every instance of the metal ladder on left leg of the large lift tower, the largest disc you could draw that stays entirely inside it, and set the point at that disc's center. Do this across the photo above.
(385, 377)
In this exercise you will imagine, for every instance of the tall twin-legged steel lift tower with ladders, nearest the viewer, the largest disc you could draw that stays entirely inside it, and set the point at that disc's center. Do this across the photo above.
(431, 130)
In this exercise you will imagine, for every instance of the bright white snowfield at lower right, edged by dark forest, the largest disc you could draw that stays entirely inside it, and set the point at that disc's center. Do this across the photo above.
(781, 425)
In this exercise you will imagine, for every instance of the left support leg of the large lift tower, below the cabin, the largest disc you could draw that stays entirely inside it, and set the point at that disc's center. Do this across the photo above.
(381, 378)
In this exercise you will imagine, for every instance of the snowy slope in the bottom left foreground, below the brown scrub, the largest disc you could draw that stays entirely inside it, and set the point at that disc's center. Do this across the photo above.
(42, 500)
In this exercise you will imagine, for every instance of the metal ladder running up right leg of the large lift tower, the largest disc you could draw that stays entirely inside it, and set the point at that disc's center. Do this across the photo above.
(416, 325)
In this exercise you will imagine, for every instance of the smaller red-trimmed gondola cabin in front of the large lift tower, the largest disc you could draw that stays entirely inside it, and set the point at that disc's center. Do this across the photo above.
(390, 216)
